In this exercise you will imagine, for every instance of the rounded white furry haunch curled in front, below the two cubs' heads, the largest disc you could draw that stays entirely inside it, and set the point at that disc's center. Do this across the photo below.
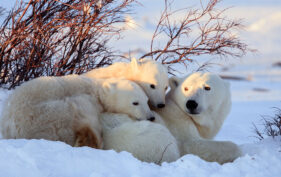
(148, 141)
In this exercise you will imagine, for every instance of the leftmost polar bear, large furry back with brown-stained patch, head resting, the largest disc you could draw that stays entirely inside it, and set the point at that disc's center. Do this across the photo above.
(67, 108)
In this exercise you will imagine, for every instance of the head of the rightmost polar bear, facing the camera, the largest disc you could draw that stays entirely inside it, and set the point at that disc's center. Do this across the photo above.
(201, 94)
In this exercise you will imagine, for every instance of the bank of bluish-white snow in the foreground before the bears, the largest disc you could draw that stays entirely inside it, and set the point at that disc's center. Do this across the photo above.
(40, 158)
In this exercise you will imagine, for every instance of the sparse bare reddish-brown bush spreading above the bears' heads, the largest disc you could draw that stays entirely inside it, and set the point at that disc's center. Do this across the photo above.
(199, 31)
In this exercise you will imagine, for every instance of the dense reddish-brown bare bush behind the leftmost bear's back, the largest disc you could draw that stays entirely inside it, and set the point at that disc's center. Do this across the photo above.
(57, 37)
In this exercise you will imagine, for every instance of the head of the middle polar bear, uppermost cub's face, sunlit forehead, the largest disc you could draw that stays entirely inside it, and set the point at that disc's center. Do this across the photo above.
(153, 78)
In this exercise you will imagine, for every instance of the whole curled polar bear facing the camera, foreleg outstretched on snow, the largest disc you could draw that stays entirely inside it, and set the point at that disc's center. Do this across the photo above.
(196, 107)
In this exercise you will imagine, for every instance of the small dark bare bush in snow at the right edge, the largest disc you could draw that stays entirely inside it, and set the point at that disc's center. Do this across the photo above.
(271, 126)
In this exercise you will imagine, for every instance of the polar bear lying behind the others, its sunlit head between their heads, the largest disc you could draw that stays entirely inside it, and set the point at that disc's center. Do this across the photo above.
(149, 74)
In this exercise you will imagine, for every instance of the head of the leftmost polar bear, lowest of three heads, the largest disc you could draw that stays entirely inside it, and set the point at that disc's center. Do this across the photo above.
(126, 97)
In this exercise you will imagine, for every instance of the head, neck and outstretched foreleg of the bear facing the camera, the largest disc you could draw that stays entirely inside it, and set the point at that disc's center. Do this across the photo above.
(196, 107)
